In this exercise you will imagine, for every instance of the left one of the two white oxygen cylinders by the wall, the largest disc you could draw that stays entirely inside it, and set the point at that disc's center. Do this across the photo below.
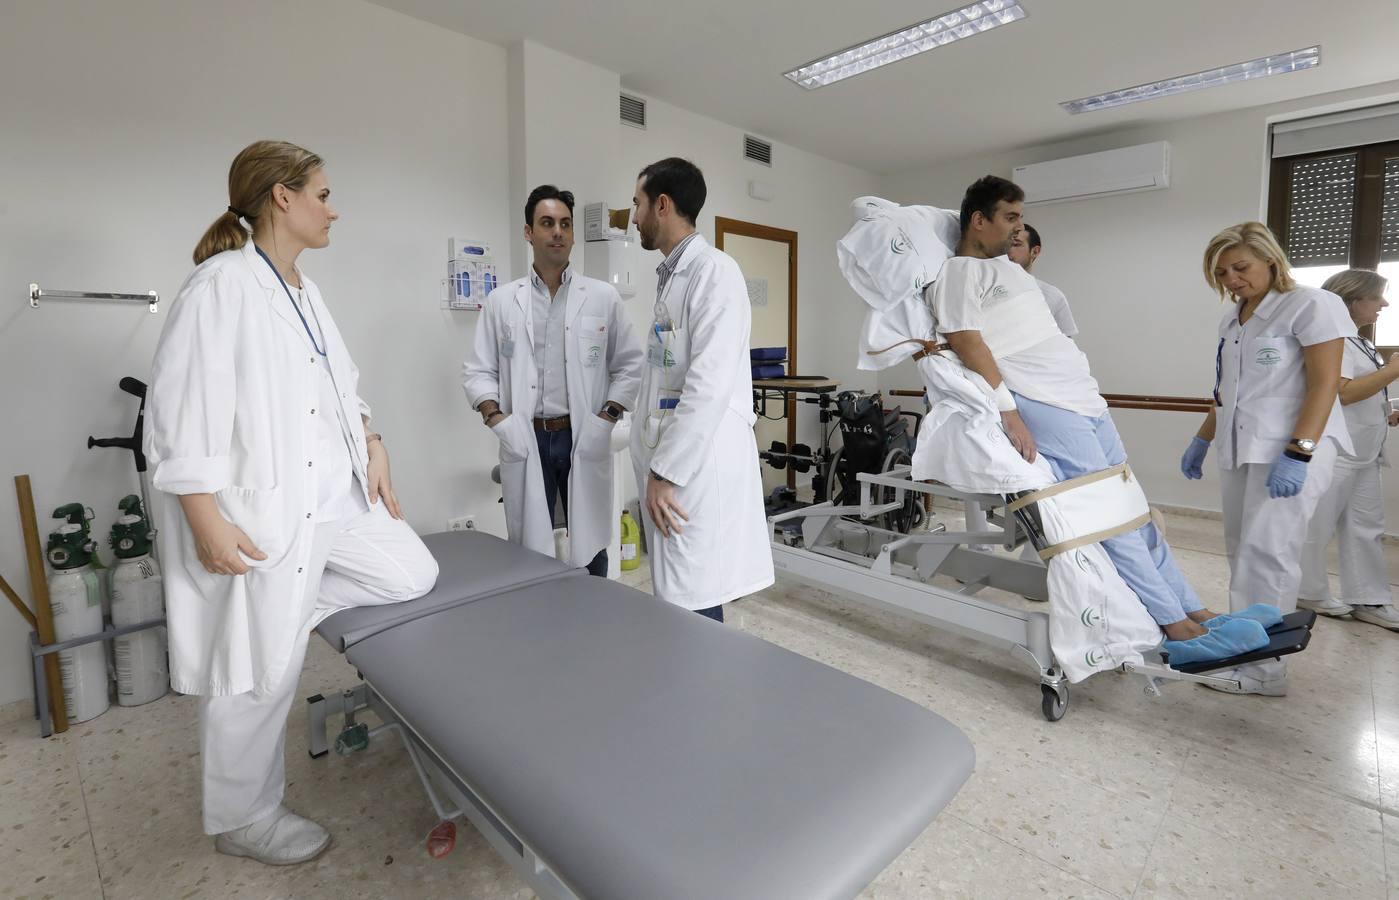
(76, 597)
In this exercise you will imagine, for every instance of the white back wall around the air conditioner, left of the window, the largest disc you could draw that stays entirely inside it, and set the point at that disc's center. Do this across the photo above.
(1131, 268)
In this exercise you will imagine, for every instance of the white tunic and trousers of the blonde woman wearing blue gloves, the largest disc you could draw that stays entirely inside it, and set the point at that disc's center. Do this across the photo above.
(1263, 386)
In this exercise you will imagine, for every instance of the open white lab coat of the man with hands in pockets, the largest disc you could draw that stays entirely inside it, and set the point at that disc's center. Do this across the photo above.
(602, 360)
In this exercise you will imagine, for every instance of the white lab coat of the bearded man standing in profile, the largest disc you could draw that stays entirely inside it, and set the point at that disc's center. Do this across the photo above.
(706, 444)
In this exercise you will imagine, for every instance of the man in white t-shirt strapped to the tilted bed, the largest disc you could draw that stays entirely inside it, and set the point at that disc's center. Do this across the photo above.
(994, 316)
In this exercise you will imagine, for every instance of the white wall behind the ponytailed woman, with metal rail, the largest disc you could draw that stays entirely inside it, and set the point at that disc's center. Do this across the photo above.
(120, 127)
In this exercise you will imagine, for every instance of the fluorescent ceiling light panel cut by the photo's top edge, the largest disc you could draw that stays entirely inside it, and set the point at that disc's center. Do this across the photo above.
(927, 36)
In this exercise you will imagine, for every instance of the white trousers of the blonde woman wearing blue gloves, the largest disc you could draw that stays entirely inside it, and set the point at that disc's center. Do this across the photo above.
(1264, 537)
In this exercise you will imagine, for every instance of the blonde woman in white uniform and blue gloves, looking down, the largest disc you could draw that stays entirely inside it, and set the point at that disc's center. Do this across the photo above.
(1278, 418)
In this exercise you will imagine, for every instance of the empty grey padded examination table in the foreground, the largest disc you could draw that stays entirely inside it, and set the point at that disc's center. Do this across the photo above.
(616, 748)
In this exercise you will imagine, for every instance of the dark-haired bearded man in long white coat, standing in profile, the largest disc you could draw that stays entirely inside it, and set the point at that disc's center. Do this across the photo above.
(695, 451)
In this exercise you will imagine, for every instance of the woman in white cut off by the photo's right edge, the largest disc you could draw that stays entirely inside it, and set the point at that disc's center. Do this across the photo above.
(1354, 510)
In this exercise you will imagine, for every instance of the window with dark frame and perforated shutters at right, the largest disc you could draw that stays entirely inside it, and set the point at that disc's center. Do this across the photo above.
(1340, 209)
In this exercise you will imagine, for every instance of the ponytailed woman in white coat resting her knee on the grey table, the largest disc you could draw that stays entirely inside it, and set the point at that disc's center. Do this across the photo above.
(278, 503)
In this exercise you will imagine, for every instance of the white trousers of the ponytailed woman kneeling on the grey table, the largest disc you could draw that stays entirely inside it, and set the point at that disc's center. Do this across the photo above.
(363, 561)
